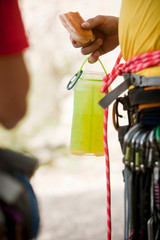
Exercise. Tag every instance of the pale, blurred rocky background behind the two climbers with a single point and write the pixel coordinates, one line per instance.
(71, 189)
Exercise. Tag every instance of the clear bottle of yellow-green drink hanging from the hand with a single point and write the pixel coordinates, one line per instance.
(87, 122)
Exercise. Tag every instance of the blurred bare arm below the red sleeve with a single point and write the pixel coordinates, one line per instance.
(14, 85)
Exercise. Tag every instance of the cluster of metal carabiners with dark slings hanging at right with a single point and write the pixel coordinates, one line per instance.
(142, 182)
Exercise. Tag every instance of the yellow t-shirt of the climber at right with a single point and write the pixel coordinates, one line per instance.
(139, 30)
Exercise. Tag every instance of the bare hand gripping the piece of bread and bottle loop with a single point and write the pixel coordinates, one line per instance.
(105, 29)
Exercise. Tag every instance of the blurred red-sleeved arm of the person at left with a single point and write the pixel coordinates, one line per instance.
(14, 79)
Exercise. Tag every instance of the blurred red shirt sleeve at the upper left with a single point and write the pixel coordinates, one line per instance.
(12, 33)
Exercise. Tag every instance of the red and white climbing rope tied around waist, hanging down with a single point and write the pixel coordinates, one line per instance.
(133, 65)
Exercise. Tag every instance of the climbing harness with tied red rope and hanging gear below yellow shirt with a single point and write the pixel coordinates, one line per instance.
(139, 145)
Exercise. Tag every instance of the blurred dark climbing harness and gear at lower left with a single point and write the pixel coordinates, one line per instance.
(19, 213)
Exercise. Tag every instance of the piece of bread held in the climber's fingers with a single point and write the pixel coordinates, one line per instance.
(72, 22)
